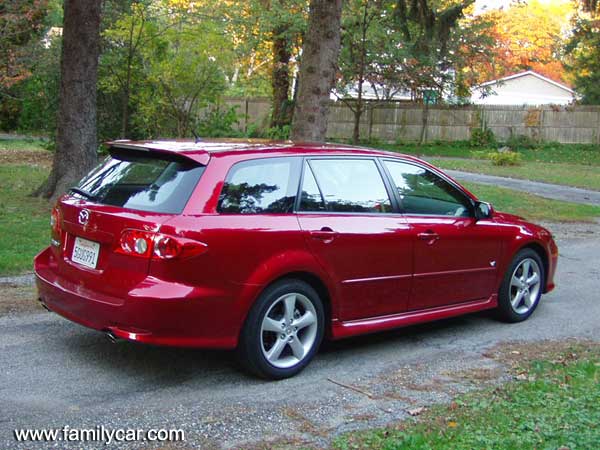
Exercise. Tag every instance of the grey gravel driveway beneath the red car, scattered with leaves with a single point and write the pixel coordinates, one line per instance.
(55, 373)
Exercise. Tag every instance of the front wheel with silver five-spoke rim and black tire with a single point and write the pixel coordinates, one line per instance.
(521, 287)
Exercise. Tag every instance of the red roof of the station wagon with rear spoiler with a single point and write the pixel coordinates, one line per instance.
(202, 150)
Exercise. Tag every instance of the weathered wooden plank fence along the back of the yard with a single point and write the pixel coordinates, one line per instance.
(392, 122)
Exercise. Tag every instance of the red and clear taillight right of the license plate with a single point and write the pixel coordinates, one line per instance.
(146, 244)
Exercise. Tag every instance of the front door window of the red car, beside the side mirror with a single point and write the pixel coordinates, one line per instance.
(423, 192)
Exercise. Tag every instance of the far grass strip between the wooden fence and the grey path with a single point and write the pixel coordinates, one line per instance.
(572, 165)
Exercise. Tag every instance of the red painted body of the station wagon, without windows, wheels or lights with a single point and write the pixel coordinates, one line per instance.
(378, 271)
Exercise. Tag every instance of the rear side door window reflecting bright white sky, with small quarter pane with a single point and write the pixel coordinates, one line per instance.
(347, 185)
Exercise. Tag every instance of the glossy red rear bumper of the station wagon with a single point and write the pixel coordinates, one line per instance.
(153, 312)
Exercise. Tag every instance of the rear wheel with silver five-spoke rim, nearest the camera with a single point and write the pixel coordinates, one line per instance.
(283, 330)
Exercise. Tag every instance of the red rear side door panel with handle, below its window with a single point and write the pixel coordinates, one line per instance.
(369, 261)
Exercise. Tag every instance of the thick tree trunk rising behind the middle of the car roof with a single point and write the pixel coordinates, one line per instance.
(317, 70)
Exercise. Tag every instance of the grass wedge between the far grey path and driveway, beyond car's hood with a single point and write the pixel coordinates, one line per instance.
(533, 207)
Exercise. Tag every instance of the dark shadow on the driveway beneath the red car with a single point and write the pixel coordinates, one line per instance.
(152, 366)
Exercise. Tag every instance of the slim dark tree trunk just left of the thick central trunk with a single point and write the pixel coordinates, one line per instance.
(281, 80)
